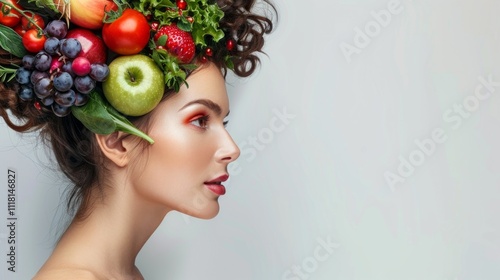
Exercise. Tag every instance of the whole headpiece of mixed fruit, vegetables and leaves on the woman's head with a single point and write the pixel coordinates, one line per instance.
(79, 57)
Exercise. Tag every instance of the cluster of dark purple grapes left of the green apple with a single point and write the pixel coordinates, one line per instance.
(56, 76)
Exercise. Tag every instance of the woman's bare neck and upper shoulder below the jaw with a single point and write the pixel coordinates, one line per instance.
(108, 240)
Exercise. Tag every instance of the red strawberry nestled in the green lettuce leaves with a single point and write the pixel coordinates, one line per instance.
(179, 43)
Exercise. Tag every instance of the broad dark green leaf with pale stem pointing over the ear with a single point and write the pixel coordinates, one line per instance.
(101, 118)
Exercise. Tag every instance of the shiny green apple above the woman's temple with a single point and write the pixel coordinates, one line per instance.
(135, 84)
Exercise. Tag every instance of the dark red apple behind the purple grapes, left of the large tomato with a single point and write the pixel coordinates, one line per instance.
(93, 47)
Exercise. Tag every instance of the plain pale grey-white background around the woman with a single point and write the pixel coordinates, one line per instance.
(320, 178)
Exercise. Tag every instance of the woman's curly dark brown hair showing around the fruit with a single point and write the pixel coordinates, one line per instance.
(75, 148)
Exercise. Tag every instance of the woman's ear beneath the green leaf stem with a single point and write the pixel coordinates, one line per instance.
(115, 147)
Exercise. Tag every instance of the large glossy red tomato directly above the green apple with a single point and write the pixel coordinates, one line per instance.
(128, 34)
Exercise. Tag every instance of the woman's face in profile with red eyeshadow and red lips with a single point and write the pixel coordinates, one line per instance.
(184, 168)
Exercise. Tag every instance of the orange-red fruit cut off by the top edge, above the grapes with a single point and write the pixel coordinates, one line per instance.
(86, 13)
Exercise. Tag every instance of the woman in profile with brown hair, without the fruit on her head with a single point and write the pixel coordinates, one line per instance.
(125, 186)
